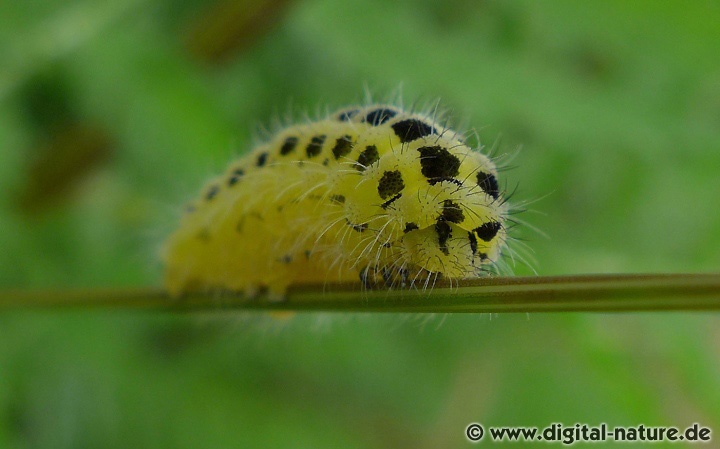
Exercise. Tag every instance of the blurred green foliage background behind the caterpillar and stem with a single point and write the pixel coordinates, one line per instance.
(113, 113)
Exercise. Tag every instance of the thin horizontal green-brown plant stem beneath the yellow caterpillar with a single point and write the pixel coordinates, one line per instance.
(588, 293)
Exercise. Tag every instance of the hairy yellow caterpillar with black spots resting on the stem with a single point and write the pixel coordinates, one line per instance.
(376, 193)
